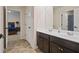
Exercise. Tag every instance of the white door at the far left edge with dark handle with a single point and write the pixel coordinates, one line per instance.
(1, 30)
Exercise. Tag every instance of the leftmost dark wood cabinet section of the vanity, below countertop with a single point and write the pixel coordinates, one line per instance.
(43, 42)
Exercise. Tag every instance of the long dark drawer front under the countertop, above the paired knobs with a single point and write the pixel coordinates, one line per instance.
(65, 43)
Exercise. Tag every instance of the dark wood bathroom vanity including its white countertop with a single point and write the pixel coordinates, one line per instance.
(53, 42)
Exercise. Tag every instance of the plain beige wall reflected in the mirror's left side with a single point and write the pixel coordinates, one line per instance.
(56, 17)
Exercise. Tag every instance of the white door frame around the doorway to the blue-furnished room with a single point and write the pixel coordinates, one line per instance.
(14, 9)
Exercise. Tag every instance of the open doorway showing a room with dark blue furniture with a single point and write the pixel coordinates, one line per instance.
(12, 26)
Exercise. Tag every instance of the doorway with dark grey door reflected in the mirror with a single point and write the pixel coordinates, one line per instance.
(67, 20)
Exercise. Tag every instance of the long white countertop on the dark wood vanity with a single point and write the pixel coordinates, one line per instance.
(62, 34)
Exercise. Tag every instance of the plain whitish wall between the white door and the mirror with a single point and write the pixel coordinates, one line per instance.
(44, 16)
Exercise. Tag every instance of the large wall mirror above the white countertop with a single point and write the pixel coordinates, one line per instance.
(66, 18)
